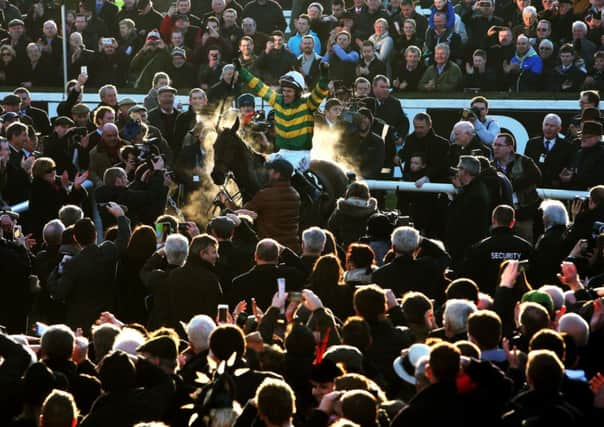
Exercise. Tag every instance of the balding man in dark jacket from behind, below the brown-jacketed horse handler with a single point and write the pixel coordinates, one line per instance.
(261, 280)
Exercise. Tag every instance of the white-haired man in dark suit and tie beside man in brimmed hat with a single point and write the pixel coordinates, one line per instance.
(550, 152)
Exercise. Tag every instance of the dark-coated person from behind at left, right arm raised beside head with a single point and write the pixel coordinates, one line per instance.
(87, 282)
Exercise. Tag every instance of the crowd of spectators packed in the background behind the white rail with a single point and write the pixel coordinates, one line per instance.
(552, 46)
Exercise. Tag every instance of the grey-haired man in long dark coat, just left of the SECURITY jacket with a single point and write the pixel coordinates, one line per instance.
(468, 213)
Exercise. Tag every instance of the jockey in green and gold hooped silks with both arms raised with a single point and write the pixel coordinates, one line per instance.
(294, 121)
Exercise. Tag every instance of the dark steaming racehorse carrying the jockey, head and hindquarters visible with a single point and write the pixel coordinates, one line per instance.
(233, 155)
